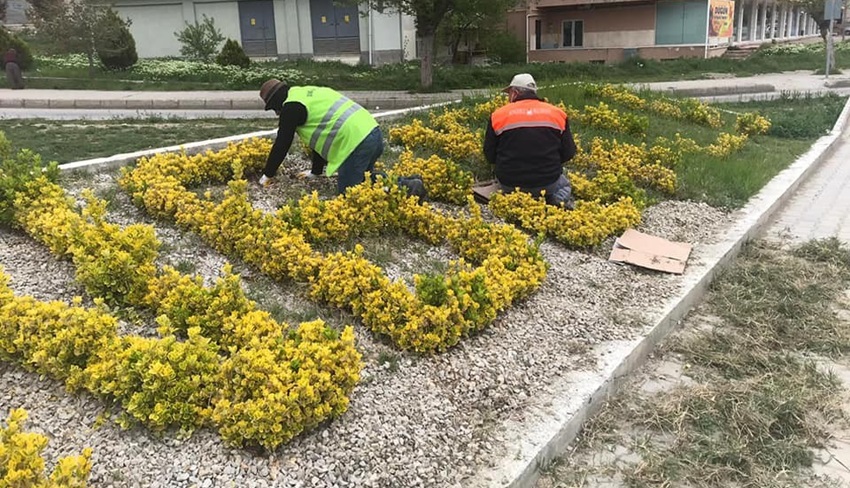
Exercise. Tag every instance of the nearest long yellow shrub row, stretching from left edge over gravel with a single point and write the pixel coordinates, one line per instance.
(164, 382)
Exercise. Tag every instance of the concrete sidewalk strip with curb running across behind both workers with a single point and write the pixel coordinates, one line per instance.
(719, 87)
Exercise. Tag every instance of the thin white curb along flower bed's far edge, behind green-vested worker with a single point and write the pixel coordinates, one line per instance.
(119, 160)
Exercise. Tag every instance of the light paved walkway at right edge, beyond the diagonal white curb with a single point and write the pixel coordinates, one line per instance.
(821, 206)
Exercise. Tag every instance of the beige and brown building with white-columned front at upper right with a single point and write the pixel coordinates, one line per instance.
(605, 31)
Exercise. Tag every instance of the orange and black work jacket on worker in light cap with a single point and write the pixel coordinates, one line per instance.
(529, 141)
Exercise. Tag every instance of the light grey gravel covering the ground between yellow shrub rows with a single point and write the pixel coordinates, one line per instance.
(414, 420)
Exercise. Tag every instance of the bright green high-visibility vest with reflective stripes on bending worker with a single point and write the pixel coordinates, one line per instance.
(335, 124)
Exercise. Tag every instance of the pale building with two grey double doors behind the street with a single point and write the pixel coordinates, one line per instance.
(281, 29)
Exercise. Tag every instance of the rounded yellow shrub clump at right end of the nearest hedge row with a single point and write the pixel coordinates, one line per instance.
(271, 394)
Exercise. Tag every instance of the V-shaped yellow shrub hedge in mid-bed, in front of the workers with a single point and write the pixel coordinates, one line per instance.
(498, 263)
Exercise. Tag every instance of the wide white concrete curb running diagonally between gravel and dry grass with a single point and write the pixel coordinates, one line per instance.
(535, 443)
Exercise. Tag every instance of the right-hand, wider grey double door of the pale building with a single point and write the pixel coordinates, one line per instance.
(336, 28)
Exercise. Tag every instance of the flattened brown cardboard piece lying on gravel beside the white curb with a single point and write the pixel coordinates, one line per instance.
(651, 252)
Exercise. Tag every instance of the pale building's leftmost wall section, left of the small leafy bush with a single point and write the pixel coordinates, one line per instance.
(153, 28)
